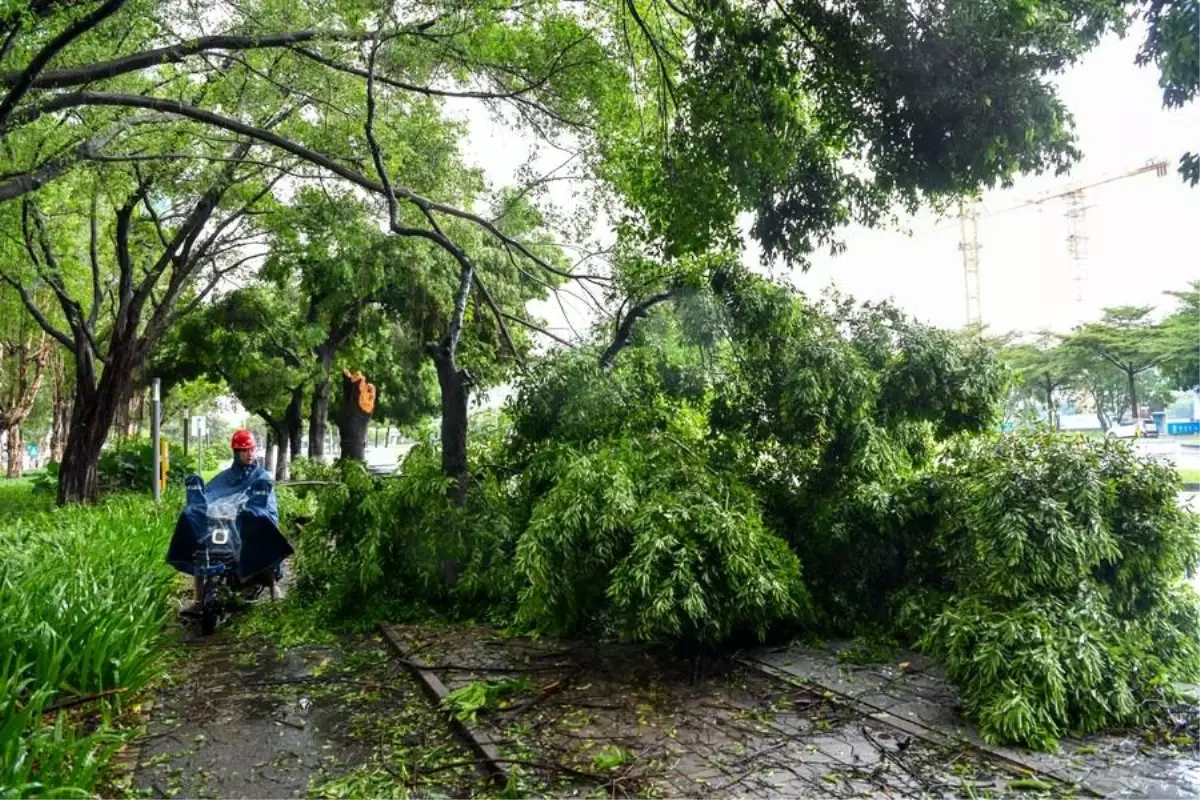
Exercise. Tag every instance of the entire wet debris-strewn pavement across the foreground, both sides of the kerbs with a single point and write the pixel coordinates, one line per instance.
(244, 719)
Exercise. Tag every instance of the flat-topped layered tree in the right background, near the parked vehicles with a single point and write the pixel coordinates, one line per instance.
(1129, 340)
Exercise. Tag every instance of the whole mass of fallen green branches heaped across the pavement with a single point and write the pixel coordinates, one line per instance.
(759, 464)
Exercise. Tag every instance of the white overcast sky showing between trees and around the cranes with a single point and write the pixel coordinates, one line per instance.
(1139, 234)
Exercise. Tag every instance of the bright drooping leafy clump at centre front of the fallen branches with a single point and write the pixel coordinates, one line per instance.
(647, 544)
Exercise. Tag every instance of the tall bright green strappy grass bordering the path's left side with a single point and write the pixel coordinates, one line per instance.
(85, 594)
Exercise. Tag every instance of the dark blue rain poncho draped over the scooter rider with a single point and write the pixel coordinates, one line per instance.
(235, 516)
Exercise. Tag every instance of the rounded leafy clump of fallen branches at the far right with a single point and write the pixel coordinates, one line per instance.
(1070, 610)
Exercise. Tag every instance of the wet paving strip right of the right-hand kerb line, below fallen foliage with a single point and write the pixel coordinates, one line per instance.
(917, 700)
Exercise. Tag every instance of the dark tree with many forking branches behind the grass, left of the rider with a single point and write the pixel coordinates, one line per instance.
(145, 251)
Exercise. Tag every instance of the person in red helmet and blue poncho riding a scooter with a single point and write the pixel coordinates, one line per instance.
(233, 483)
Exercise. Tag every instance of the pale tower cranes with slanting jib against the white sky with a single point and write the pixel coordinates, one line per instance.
(1077, 234)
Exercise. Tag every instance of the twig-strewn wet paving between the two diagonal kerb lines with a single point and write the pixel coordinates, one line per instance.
(609, 720)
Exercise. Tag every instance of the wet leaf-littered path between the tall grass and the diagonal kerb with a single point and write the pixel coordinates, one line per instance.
(244, 721)
